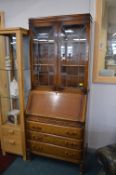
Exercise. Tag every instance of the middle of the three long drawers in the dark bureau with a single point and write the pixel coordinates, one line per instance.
(53, 139)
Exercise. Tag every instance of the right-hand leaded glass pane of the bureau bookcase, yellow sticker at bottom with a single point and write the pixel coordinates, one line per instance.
(73, 53)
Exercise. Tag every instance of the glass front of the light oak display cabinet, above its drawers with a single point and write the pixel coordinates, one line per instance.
(9, 91)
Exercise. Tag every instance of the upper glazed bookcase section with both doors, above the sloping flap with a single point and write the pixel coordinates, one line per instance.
(59, 52)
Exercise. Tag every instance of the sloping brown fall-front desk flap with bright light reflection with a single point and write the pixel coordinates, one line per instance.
(57, 105)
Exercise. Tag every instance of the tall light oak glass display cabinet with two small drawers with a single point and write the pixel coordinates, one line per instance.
(13, 99)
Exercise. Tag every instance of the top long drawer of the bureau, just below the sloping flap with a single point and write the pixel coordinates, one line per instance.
(70, 132)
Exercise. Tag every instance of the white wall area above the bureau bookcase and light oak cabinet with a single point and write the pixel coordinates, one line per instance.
(18, 12)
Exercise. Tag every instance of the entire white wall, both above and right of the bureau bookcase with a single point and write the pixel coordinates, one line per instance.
(102, 98)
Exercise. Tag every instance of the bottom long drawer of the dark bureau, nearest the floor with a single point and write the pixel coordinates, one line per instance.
(55, 151)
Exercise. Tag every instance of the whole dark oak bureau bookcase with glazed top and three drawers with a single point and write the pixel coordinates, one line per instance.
(56, 109)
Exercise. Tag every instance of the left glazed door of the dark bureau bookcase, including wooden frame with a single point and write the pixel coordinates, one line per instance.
(44, 53)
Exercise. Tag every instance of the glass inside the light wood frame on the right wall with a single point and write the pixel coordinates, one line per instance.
(107, 65)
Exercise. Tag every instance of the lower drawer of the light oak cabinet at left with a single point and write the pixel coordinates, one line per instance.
(12, 145)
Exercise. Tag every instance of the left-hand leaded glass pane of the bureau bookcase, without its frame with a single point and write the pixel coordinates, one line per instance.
(44, 56)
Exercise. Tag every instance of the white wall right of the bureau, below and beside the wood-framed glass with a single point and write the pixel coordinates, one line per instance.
(102, 109)
